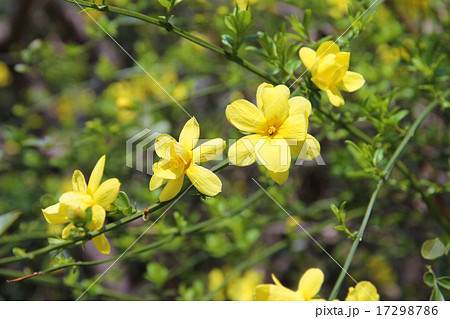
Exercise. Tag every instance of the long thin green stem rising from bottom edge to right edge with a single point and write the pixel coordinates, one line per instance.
(386, 172)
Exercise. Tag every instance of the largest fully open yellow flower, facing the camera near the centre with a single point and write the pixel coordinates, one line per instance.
(279, 129)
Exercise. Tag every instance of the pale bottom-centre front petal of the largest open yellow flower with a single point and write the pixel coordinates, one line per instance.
(274, 154)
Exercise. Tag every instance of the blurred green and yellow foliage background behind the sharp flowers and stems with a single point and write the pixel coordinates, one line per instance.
(69, 94)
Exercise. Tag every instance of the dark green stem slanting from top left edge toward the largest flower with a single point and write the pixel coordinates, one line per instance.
(180, 32)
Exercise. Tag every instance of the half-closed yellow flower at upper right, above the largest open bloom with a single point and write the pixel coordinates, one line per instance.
(329, 70)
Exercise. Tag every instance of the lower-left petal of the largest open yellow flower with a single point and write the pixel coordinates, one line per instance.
(242, 152)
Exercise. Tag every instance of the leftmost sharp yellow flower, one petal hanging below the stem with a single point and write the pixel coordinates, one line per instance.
(72, 205)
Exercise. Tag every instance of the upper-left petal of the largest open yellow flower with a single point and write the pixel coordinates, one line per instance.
(246, 117)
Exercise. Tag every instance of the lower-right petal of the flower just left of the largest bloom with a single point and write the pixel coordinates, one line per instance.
(204, 180)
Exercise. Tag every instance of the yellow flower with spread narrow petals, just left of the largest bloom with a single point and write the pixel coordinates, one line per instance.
(180, 158)
